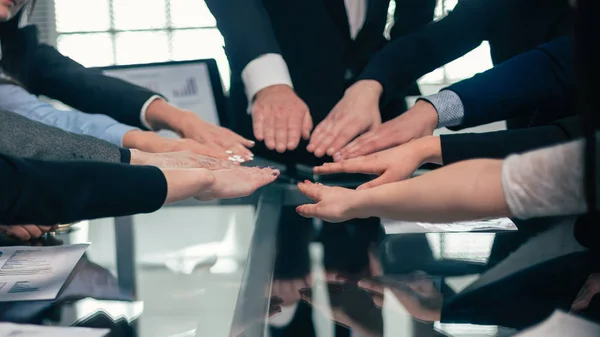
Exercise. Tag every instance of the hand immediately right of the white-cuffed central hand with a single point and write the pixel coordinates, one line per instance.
(357, 112)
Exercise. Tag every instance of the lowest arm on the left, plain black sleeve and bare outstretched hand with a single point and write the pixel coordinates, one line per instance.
(46, 193)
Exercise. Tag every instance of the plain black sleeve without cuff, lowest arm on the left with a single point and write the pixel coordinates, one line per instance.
(49, 193)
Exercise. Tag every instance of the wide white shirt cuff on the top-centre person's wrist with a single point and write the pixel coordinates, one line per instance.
(265, 71)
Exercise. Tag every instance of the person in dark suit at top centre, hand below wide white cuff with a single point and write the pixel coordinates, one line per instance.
(292, 62)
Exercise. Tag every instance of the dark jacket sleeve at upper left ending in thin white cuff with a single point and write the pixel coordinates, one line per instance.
(42, 70)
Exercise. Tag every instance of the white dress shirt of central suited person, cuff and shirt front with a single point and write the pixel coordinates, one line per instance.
(271, 69)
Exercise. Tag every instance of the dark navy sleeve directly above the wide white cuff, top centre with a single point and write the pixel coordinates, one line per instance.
(246, 28)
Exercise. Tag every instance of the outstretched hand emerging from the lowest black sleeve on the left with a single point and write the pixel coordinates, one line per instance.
(206, 185)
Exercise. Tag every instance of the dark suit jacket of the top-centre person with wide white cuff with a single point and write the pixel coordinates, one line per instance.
(313, 37)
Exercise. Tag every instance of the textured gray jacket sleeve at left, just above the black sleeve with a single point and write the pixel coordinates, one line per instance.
(22, 137)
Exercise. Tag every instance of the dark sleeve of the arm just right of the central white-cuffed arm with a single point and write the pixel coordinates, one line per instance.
(409, 57)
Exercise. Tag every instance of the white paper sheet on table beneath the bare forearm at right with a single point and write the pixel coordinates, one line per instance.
(403, 227)
